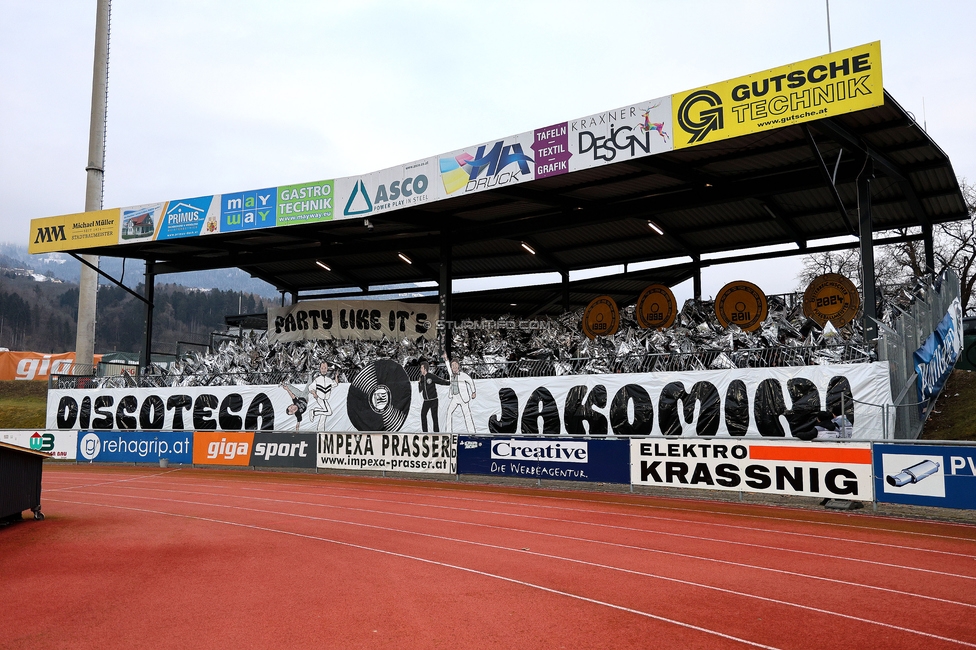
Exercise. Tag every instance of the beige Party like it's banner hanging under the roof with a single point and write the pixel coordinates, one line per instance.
(352, 320)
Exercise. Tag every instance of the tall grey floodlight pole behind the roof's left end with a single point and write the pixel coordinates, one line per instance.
(88, 284)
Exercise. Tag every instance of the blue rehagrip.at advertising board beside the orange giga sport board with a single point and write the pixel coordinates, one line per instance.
(135, 446)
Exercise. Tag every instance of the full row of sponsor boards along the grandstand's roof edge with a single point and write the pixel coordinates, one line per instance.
(833, 84)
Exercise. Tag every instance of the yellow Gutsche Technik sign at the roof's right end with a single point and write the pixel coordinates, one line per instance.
(841, 82)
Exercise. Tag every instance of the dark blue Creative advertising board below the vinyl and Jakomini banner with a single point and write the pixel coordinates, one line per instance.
(552, 458)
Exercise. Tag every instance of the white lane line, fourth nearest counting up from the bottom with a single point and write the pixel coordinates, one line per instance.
(631, 529)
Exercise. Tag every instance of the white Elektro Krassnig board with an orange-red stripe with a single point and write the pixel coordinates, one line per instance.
(814, 469)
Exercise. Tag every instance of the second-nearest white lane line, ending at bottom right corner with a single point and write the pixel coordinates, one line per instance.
(549, 556)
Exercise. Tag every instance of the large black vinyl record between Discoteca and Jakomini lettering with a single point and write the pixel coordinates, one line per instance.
(379, 399)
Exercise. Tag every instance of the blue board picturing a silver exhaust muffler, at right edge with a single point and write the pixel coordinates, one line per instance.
(926, 475)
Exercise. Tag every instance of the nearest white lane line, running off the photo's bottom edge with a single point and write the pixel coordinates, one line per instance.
(439, 564)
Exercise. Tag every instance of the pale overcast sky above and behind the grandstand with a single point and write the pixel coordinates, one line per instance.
(211, 97)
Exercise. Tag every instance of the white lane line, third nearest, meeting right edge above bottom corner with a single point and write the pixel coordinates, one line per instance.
(526, 531)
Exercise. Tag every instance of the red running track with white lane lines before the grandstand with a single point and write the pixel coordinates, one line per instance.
(193, 558)
